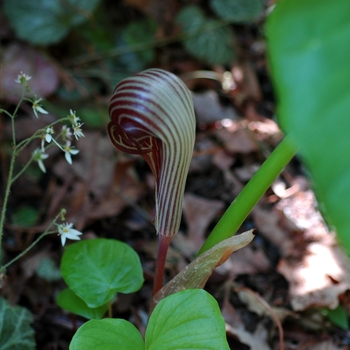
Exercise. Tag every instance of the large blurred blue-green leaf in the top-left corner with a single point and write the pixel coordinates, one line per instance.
(46, 22)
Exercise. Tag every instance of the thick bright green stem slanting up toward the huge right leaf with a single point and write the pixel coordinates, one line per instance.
(240, 208)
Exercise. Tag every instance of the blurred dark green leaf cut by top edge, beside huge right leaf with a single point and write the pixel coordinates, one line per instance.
(237, 10)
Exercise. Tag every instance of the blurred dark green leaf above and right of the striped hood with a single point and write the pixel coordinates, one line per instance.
(208, 39)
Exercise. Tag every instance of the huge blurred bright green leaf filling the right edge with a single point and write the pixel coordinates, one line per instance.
(309, 52)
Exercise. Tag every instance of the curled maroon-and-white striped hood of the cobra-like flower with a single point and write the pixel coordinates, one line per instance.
(152, 115)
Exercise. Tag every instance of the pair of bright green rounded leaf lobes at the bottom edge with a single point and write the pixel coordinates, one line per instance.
(190, 319)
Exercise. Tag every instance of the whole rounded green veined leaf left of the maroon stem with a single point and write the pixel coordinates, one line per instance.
(96, 269)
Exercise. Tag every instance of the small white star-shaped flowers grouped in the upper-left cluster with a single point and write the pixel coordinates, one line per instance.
(66, 132)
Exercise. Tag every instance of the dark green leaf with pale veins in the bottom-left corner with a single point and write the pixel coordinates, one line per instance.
(15, 330)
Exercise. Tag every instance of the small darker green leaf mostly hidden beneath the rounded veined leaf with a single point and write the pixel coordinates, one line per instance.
(69, 301)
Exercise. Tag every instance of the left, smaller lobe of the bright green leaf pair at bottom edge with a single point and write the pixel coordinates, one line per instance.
(107, 334)
